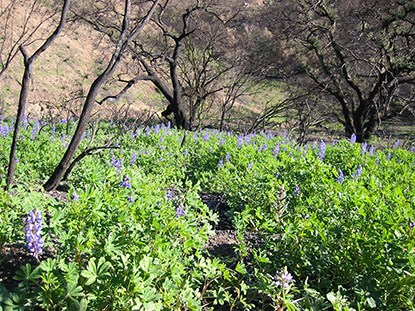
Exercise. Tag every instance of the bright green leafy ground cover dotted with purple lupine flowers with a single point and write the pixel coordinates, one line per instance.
(172, 220)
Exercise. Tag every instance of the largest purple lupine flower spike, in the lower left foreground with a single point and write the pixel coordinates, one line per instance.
(33, 230)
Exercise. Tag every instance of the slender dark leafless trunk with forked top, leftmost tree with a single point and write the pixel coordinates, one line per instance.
(28, 66)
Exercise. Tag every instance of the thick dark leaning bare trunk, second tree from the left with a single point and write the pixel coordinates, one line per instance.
(129, 29)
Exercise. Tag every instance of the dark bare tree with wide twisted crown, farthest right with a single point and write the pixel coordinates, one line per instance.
(357, 55)
